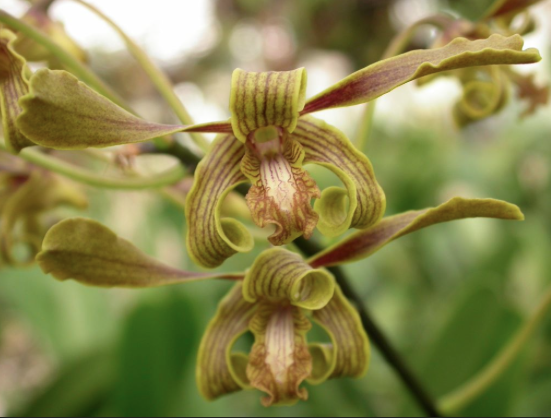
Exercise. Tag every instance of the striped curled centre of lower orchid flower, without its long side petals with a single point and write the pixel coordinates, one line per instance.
(274, 303)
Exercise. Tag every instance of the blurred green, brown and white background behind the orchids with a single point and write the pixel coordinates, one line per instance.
(449, 297)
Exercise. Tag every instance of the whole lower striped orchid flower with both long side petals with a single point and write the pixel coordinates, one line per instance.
(275, 299)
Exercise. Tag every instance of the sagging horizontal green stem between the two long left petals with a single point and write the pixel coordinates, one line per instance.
(86, 177)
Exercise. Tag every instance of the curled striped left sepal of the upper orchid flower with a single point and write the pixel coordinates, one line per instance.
(210, 238)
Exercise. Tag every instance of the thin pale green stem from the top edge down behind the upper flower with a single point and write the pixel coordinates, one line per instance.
(157, 76)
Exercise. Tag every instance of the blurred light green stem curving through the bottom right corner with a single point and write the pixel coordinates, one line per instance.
(470, 391)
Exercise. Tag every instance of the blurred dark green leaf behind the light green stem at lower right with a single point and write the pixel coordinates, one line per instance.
(479, 326)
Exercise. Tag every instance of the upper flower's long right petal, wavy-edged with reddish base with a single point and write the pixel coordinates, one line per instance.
(384, 76)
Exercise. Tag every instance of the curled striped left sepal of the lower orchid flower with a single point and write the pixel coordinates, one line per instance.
(219, 371)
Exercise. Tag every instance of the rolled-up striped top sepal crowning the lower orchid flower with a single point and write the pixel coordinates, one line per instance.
(279, 274)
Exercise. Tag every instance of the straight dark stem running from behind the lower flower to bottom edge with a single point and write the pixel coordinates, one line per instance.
(391, 355)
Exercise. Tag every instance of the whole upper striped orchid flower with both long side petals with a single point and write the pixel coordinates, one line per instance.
(268, 139)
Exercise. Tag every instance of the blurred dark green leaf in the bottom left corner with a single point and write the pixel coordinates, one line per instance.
(79, 389)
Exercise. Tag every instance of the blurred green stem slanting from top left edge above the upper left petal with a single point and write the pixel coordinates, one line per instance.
(70, 62)
